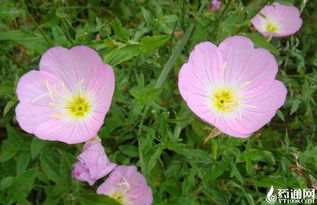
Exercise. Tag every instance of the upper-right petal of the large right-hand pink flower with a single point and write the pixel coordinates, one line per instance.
(247, 66)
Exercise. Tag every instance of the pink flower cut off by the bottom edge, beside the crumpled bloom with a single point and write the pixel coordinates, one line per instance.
(127, 186)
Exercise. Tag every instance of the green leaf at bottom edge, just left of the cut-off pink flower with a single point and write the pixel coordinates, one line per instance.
(96, 199)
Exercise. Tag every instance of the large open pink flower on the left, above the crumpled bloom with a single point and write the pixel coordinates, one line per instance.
(68, 98)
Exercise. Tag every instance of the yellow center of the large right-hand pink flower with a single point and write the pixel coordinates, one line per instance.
(225, 99)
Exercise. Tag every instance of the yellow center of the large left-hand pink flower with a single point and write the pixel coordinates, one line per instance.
(78, 106)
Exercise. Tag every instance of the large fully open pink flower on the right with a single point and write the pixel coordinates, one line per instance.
(232, 86)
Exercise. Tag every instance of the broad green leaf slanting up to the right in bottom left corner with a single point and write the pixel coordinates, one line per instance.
(21, 186)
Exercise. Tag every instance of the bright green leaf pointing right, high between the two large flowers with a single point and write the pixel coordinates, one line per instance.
(151, 43)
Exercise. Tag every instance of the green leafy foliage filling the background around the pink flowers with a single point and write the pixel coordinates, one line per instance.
(149, 125)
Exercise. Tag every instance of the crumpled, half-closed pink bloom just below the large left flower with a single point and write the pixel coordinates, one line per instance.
(93, 163)
